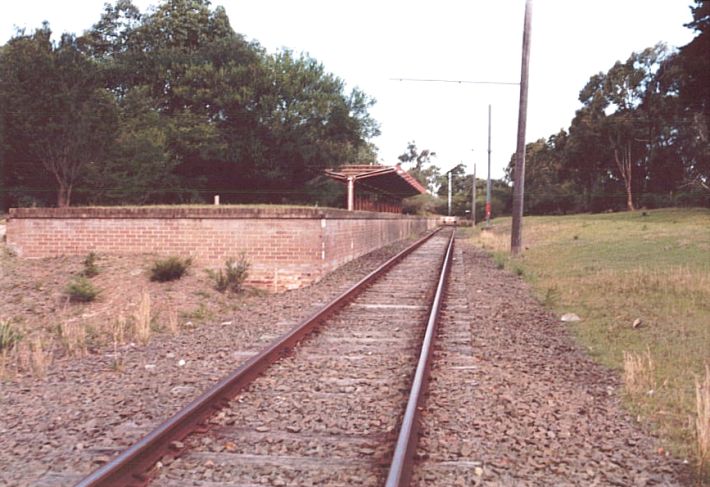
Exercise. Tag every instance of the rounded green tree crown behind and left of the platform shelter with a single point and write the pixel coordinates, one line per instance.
(307, 123)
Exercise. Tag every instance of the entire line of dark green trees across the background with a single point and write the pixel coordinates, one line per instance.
(173, 106)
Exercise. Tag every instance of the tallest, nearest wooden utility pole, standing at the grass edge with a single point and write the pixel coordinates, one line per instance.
(516, 237)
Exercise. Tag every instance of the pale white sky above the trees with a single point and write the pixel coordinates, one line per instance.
(368, 42)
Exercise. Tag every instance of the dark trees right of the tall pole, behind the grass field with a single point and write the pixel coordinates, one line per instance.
(640, 139)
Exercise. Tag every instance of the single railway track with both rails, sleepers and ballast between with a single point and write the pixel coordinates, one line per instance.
(338, 404)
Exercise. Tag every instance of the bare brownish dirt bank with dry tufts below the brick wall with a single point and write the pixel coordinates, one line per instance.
(33, 298)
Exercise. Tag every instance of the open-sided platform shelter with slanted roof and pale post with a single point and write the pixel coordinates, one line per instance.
(376, 187)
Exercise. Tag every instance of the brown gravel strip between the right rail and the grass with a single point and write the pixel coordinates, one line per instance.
(526, 406)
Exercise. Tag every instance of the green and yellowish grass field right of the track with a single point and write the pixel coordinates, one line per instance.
(613, 270)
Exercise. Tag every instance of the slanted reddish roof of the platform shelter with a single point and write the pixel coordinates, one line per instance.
(392, 180)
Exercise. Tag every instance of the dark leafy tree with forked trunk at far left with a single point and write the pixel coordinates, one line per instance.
(56, 116)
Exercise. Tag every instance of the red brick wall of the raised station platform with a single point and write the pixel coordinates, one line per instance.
(287, 247)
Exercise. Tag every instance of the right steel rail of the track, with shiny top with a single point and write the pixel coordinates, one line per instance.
(400, 472)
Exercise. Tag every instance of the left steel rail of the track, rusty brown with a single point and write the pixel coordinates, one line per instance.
(131, 467)
